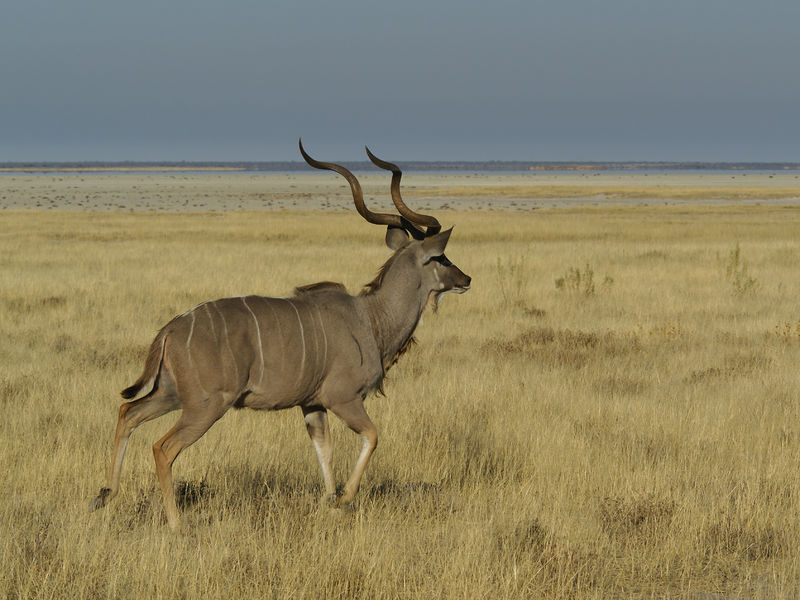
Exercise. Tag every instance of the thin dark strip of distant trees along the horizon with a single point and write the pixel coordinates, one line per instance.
(504, 165)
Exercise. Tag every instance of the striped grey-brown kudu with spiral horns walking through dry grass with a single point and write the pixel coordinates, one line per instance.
(319, 349)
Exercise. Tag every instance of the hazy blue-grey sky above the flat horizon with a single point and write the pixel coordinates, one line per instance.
(413, 79)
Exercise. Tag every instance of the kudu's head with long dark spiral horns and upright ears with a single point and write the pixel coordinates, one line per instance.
(416, 239)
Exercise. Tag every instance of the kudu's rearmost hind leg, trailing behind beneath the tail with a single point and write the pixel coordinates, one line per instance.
(131, 415)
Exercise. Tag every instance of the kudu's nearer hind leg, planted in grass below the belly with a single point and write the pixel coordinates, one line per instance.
(190, 427)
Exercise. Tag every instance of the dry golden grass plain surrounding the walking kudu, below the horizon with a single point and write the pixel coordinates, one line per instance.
(612, 411)
